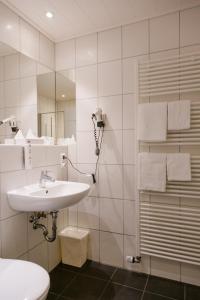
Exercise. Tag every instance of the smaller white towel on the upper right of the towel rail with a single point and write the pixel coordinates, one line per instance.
(179, 115)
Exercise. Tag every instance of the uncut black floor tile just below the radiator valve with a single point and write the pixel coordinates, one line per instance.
(132, 279)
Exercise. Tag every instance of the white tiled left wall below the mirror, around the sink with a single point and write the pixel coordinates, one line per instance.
(18, 239)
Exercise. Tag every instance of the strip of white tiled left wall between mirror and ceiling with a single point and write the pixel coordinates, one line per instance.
(23, 37)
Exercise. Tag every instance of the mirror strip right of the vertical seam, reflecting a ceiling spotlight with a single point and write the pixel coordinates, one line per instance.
(65, 104)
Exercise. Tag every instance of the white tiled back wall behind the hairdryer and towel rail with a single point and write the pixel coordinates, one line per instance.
(104, 65)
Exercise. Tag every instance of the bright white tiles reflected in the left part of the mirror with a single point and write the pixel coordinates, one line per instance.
(18, 93)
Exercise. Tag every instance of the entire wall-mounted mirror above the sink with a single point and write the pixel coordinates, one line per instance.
(39, 98)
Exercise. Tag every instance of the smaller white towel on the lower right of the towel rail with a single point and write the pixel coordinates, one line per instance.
(178, 167)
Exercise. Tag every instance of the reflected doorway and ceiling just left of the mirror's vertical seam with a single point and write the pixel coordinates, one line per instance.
(46, 103)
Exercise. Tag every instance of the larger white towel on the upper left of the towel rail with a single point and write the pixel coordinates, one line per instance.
(152, 121)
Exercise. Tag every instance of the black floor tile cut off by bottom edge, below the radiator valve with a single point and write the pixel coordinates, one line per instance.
(119, 292)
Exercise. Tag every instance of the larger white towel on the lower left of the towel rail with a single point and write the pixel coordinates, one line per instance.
(152, 172)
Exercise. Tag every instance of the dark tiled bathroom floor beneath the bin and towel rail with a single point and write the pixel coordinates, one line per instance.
(95, 281)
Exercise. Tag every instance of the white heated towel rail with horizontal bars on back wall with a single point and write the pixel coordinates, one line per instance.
(171, 230)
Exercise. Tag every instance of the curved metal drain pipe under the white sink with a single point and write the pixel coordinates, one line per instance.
(35, 220)
